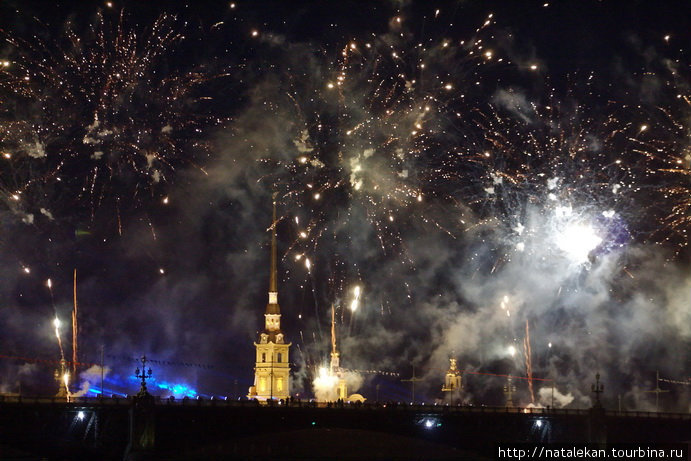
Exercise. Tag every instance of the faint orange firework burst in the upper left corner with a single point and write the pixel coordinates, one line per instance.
(96, 116)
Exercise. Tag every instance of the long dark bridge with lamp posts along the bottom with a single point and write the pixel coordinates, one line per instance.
(155, 428)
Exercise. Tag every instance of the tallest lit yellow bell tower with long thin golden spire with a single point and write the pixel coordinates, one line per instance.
(272, 365)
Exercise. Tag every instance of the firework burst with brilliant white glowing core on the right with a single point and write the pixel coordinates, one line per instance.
(554, 178)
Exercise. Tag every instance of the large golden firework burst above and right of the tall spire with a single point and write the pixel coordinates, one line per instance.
(377, 144)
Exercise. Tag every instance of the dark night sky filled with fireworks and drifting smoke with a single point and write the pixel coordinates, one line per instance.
(507, 183)
